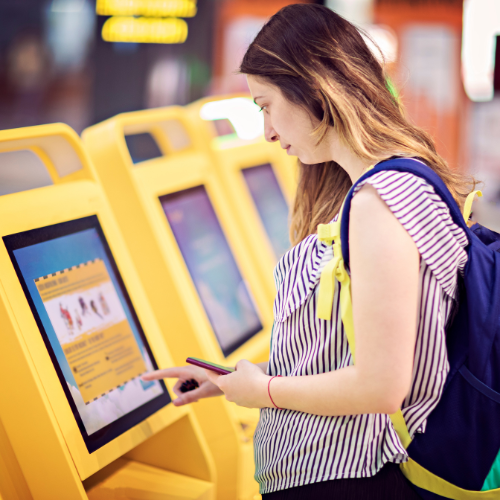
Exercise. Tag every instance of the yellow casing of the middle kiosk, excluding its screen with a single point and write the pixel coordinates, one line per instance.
(134, 191)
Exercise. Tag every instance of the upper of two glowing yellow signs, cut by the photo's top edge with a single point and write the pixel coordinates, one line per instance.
(147, 8)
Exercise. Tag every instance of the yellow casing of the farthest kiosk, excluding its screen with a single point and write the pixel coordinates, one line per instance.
(230, 156)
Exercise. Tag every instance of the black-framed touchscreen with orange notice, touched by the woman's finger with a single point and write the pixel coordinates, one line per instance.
(89, 326)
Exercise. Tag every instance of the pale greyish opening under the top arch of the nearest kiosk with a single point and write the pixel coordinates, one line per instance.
(20, 171)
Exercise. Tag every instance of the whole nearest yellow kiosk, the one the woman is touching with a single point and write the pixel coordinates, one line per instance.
(77, 421)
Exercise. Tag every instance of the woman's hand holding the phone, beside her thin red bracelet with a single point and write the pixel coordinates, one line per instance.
(247, 386)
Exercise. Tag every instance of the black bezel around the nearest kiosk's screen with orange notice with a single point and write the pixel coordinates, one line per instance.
(111, 431)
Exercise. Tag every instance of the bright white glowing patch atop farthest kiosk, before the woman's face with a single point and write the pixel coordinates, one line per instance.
(243, 113)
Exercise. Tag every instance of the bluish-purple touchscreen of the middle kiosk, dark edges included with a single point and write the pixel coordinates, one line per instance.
(218, 281)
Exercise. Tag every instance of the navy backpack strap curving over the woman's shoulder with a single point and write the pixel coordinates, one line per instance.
(401, 165)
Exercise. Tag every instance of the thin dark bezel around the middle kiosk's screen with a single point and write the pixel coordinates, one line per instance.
(251, 333)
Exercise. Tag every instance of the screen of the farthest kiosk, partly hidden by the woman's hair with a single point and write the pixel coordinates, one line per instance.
(271, 205)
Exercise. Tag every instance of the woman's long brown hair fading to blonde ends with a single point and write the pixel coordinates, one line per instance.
(320, 61)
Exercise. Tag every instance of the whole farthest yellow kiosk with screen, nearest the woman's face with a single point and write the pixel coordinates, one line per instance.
(259, 177)
